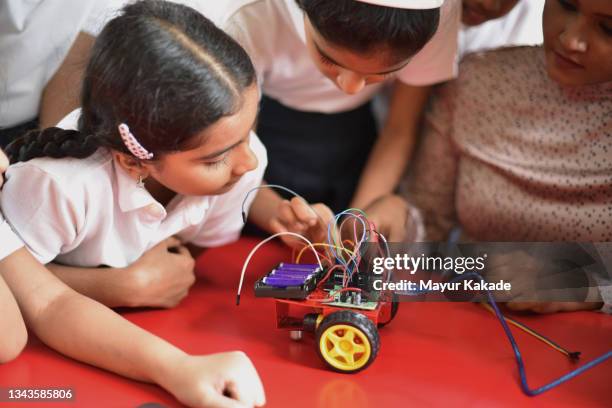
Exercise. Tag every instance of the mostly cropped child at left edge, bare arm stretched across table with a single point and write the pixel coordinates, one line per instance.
(45, 301)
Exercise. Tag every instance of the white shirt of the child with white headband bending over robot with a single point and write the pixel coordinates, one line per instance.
(272, 32)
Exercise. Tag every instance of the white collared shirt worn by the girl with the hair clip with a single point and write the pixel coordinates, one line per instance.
(90, 212)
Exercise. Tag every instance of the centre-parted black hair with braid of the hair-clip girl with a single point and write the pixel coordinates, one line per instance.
(161, 68)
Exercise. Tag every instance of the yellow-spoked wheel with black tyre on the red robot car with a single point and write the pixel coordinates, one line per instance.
(347, 341)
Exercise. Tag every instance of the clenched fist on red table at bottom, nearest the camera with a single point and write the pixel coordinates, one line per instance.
(217, 380)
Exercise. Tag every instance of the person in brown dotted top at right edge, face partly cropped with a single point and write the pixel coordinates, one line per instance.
(518, 148)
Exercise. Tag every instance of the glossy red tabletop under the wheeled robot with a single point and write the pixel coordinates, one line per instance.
(432, 354)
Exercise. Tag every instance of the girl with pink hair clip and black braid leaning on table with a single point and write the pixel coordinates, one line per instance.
(164, 148)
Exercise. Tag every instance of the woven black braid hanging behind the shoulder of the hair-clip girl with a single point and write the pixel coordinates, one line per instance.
(52, 142)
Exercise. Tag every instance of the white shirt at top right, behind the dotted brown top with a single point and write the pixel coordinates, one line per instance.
(522, 26)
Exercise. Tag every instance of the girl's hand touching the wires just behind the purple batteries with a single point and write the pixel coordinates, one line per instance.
(297, 216)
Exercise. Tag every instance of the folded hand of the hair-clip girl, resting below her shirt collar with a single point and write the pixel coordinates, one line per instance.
(161, 277)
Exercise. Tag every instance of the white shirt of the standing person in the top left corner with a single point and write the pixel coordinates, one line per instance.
(35, 37)
